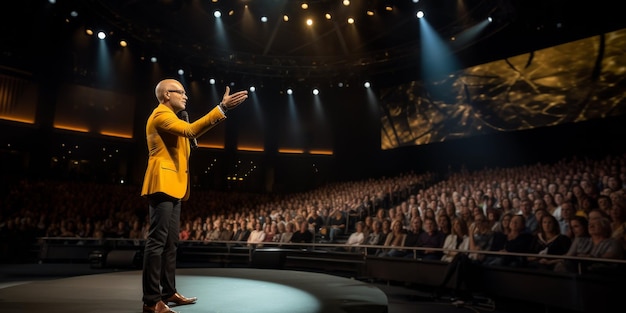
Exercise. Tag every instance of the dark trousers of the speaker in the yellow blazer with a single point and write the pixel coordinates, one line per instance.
(159, 261)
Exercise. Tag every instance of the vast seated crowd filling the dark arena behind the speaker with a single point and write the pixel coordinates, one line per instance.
(578, 193)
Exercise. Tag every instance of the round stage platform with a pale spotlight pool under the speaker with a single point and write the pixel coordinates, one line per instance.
(223, 290)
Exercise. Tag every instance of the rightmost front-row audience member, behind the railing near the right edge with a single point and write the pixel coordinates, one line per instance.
(599, 244)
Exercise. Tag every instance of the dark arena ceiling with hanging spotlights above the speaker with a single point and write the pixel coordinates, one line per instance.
(385, 46)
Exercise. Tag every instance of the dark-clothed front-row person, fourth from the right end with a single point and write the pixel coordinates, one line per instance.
(517, 241)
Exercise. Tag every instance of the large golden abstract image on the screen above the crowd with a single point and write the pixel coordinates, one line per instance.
(568, 83)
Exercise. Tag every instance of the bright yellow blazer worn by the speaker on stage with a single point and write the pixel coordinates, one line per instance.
(169, 149)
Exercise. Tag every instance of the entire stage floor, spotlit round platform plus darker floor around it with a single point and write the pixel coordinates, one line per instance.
(69, 288)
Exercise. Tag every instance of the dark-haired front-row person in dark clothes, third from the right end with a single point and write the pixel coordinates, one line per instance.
(548, 241)
